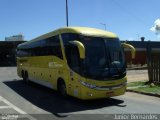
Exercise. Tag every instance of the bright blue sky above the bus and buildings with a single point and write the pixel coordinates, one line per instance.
(129, 19)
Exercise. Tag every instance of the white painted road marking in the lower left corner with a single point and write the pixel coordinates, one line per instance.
(10, 105)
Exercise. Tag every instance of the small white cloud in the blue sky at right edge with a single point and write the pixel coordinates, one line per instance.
(156, 27)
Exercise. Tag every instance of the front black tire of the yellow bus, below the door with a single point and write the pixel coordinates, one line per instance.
(62, 88)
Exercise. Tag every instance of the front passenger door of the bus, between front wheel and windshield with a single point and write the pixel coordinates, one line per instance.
(73, 60)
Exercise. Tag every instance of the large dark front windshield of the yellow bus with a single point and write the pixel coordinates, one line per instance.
(104, 56)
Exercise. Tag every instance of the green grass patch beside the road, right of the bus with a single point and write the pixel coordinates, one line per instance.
(143, 86)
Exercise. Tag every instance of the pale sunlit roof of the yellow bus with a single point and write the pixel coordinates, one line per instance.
(79, 30)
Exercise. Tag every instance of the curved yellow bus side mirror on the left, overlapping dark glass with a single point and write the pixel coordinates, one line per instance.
(81, 48)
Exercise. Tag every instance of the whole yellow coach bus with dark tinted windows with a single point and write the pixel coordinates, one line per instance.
(86, 63)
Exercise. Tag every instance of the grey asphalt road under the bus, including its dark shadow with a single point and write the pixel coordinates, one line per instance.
(36, 102)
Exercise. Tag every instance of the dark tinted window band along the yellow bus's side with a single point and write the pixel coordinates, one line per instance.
(48, 46)
